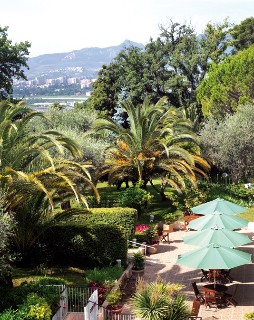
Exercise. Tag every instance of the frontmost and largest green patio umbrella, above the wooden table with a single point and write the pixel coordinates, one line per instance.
(214, 256)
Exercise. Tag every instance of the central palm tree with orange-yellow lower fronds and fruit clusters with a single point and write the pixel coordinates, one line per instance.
(158, 143)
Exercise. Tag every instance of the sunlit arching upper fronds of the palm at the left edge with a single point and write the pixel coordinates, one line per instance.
(30, 163)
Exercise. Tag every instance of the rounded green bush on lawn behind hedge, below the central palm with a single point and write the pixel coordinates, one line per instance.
(135, 198)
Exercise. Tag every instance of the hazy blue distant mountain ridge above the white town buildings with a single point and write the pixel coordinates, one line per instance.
(86, 61)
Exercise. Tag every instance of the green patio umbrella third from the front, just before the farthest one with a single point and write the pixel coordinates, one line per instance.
(219, 220)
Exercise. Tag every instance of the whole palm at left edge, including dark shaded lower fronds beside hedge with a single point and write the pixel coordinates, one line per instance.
(34, 176)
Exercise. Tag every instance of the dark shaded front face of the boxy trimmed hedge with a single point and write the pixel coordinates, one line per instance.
(85, 246)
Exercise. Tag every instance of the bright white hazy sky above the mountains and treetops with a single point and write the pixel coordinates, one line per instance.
(53, 26)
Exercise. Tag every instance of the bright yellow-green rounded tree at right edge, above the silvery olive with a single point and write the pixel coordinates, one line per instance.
(228, 84)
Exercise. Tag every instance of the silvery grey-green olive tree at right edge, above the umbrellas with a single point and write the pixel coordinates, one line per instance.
(229, 143)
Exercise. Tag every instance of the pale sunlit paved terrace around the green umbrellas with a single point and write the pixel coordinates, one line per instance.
(163, 264)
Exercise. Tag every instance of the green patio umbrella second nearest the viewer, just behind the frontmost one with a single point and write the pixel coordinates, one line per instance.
(217, 235)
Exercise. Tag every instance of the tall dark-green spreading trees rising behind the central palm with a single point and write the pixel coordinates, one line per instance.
(171, 65)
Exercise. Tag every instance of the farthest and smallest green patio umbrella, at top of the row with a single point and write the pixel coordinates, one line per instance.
(218, 205)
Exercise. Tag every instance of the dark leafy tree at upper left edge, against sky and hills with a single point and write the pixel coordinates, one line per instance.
(13, 61)
